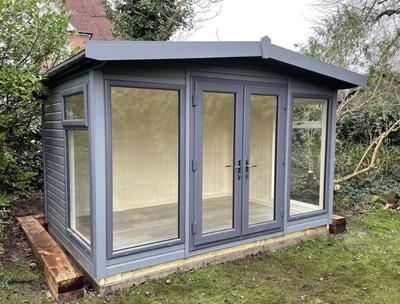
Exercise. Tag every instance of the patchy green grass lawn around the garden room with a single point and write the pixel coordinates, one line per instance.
(361, 266)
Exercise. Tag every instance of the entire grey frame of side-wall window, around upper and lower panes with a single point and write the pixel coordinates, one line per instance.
(71, 125)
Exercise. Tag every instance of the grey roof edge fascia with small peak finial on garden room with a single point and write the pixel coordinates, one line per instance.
(170, 50)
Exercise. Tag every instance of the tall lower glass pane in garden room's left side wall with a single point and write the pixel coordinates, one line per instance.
(79, 182)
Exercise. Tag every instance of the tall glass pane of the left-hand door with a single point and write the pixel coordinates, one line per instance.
(218, 133)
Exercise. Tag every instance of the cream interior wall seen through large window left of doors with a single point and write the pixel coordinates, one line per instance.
(144, 147)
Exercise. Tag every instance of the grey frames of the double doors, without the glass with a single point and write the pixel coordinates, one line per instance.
(243, 89)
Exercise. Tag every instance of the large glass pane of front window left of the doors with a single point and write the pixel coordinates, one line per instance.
(145, 142)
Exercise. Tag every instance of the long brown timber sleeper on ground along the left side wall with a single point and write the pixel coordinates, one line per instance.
(63, 278)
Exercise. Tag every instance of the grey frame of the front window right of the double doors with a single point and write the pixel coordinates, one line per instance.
(328, 99)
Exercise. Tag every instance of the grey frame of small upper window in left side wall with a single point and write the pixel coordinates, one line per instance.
(75, 122)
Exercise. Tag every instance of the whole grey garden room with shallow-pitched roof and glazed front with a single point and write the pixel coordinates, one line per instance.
(166, 156)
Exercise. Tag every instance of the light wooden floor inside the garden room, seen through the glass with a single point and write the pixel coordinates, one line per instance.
(140, 226)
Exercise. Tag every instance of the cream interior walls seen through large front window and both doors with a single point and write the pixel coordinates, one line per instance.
(145, 147)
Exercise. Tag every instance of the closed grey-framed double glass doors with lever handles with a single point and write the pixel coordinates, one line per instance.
(238, 183)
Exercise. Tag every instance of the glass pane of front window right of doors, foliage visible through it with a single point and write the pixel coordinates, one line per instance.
(308, 155)
